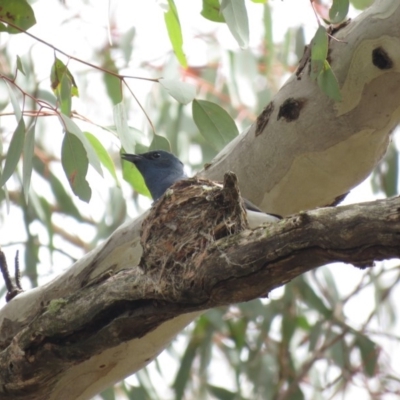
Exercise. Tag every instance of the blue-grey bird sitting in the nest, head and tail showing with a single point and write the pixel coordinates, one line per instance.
(160, 169)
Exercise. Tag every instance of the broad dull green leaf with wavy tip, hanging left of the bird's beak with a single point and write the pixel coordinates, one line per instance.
(75, 164)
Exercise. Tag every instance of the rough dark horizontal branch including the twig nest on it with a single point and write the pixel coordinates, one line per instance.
(236, 267)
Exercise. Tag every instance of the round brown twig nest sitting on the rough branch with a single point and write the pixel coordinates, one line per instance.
(189, 218)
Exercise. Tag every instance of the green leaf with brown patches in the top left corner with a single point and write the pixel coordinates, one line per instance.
(17, 12)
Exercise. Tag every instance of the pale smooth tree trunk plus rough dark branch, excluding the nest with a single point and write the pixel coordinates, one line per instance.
(105, 318)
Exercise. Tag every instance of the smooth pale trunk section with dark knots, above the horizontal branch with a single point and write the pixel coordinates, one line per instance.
(307, 150)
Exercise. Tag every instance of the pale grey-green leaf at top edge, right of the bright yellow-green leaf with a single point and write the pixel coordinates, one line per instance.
(235, 14)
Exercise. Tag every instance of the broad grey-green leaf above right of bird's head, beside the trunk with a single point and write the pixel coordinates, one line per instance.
(214, 123)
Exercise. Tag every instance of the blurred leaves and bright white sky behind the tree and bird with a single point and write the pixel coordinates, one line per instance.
(86, 82)
